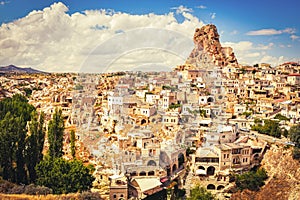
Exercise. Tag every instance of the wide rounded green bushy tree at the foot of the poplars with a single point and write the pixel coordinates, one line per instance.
(64, 176)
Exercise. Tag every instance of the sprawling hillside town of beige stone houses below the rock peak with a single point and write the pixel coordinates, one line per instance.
(151, 133)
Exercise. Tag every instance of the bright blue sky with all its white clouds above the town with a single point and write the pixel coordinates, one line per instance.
(115, 35)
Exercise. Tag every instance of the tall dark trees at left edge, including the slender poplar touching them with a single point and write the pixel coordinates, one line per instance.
(20, 152)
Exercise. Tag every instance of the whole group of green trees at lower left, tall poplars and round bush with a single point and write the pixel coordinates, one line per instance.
(22, 135)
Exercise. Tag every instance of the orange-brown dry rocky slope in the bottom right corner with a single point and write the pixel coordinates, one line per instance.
(284, 177)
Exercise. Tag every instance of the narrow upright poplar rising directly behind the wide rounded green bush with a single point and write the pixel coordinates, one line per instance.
(55, 134)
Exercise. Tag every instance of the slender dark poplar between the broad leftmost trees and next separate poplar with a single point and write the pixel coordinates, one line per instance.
(35, 144)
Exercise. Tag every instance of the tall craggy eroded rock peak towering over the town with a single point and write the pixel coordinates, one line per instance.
(208, 49)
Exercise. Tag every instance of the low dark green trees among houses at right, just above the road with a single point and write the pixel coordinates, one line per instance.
(270, 127)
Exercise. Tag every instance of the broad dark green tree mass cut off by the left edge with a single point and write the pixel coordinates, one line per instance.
(15, 112)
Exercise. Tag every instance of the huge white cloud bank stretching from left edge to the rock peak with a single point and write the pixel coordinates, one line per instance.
(53, 40)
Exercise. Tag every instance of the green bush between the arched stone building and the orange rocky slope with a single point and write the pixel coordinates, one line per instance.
(251, 180)
